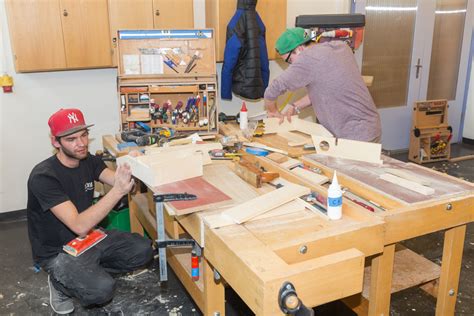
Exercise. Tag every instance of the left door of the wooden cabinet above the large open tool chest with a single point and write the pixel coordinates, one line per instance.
(128, 15)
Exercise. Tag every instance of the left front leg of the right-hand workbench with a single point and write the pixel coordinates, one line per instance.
(381, 282)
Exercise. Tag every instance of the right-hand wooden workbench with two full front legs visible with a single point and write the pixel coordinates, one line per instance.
(408, 214)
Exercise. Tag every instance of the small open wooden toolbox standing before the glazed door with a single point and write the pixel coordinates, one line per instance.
(431, 135)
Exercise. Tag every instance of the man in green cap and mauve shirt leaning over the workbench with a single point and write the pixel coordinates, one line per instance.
(335, 88)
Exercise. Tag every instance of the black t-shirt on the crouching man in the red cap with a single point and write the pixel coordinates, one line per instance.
(50, 184)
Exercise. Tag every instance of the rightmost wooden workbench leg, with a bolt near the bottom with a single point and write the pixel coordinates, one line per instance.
(450, 270)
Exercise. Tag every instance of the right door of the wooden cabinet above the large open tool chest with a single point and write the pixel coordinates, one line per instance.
(176, 14)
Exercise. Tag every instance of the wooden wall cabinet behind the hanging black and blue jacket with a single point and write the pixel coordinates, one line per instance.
(272, 13)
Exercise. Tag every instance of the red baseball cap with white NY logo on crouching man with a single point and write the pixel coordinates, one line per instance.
(66, 122)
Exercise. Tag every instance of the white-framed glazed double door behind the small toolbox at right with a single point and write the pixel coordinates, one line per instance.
(416, 50)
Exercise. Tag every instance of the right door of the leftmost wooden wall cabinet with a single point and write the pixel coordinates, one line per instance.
(86, 33)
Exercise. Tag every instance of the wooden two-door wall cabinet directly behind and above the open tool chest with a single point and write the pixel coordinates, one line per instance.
(148, 14)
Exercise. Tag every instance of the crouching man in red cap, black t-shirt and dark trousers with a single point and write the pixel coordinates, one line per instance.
(60, 193)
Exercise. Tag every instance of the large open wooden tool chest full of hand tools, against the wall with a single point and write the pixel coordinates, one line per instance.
(167, 79)
